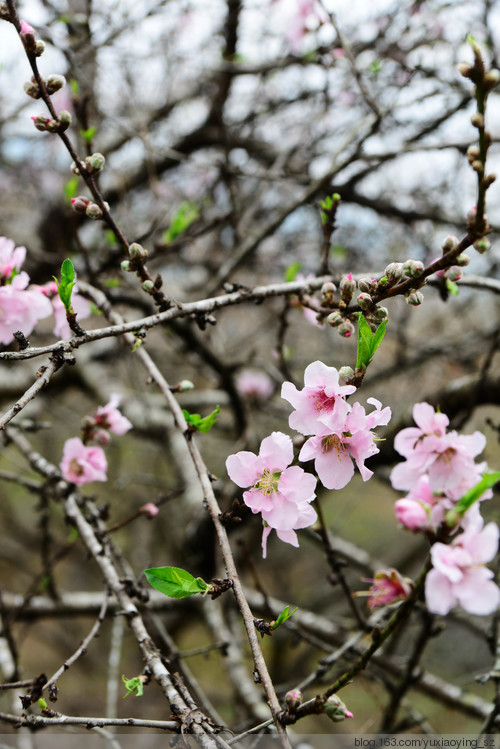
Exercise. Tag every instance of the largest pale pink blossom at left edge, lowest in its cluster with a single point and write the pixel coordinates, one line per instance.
(20, 308)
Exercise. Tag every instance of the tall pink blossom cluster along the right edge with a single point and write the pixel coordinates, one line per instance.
(439, 468)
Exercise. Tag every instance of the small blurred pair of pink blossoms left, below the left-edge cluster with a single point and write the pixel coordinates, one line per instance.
(81, 463)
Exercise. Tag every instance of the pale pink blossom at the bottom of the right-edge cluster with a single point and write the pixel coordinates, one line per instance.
(459, 575)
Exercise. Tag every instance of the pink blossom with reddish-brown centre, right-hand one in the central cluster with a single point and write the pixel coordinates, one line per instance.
(333, 452)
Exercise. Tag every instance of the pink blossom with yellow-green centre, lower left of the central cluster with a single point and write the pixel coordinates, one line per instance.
(280, 492)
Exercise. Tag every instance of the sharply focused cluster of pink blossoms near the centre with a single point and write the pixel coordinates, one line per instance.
(341, 434)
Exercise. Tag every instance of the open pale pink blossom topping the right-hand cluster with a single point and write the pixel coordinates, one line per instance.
(446, 457)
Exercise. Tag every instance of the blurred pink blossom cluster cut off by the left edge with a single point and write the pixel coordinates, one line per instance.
(21, 307)
